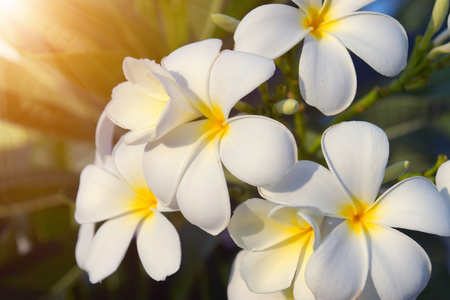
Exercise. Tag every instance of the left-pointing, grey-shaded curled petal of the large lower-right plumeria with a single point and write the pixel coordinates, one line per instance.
(308, 183)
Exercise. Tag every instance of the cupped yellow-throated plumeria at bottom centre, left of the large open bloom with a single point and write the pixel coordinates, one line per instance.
(280, 240)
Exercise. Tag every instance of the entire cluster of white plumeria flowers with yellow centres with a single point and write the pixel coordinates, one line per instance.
(318, 233)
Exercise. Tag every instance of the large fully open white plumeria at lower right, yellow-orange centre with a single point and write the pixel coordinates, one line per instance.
(364, 247)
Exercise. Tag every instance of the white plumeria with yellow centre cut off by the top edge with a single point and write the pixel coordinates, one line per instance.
(326, 72)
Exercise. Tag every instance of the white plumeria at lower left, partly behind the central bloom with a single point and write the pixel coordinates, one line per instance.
(117, 193)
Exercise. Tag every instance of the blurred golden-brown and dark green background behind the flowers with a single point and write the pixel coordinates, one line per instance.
(60, 59)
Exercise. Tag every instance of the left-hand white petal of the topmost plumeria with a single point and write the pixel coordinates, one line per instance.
(270, 30)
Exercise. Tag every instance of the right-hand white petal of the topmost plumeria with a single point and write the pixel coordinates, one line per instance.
(377, 39)
